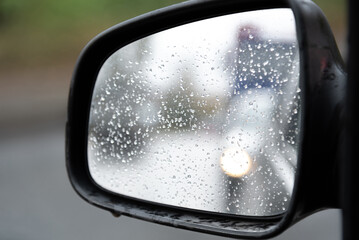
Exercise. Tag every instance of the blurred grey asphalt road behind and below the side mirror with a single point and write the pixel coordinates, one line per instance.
(38, 202)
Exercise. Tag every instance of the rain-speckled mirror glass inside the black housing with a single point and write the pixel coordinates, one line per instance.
(202, 116)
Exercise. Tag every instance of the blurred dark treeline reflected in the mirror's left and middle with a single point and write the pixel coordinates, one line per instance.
(126, 111)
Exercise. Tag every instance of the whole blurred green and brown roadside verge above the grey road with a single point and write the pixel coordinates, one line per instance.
(41, 39)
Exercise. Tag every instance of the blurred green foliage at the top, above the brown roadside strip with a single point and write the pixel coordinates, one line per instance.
(47, 31)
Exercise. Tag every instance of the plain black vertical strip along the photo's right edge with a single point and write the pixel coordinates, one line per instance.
(350, 163)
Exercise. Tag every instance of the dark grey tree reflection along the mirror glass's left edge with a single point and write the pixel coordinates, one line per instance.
(120, 90)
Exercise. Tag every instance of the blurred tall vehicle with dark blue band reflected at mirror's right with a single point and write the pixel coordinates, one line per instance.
(263, 116)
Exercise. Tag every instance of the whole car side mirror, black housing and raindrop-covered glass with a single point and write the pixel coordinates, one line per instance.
(216, 116)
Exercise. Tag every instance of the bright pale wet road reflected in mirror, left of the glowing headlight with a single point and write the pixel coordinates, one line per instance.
(179, 170)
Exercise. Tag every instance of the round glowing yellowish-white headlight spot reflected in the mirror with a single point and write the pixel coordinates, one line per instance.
(235, 162)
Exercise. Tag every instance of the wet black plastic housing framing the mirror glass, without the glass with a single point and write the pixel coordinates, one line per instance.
(322, 80)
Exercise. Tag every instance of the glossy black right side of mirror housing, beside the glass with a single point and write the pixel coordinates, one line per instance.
(324, 76)
